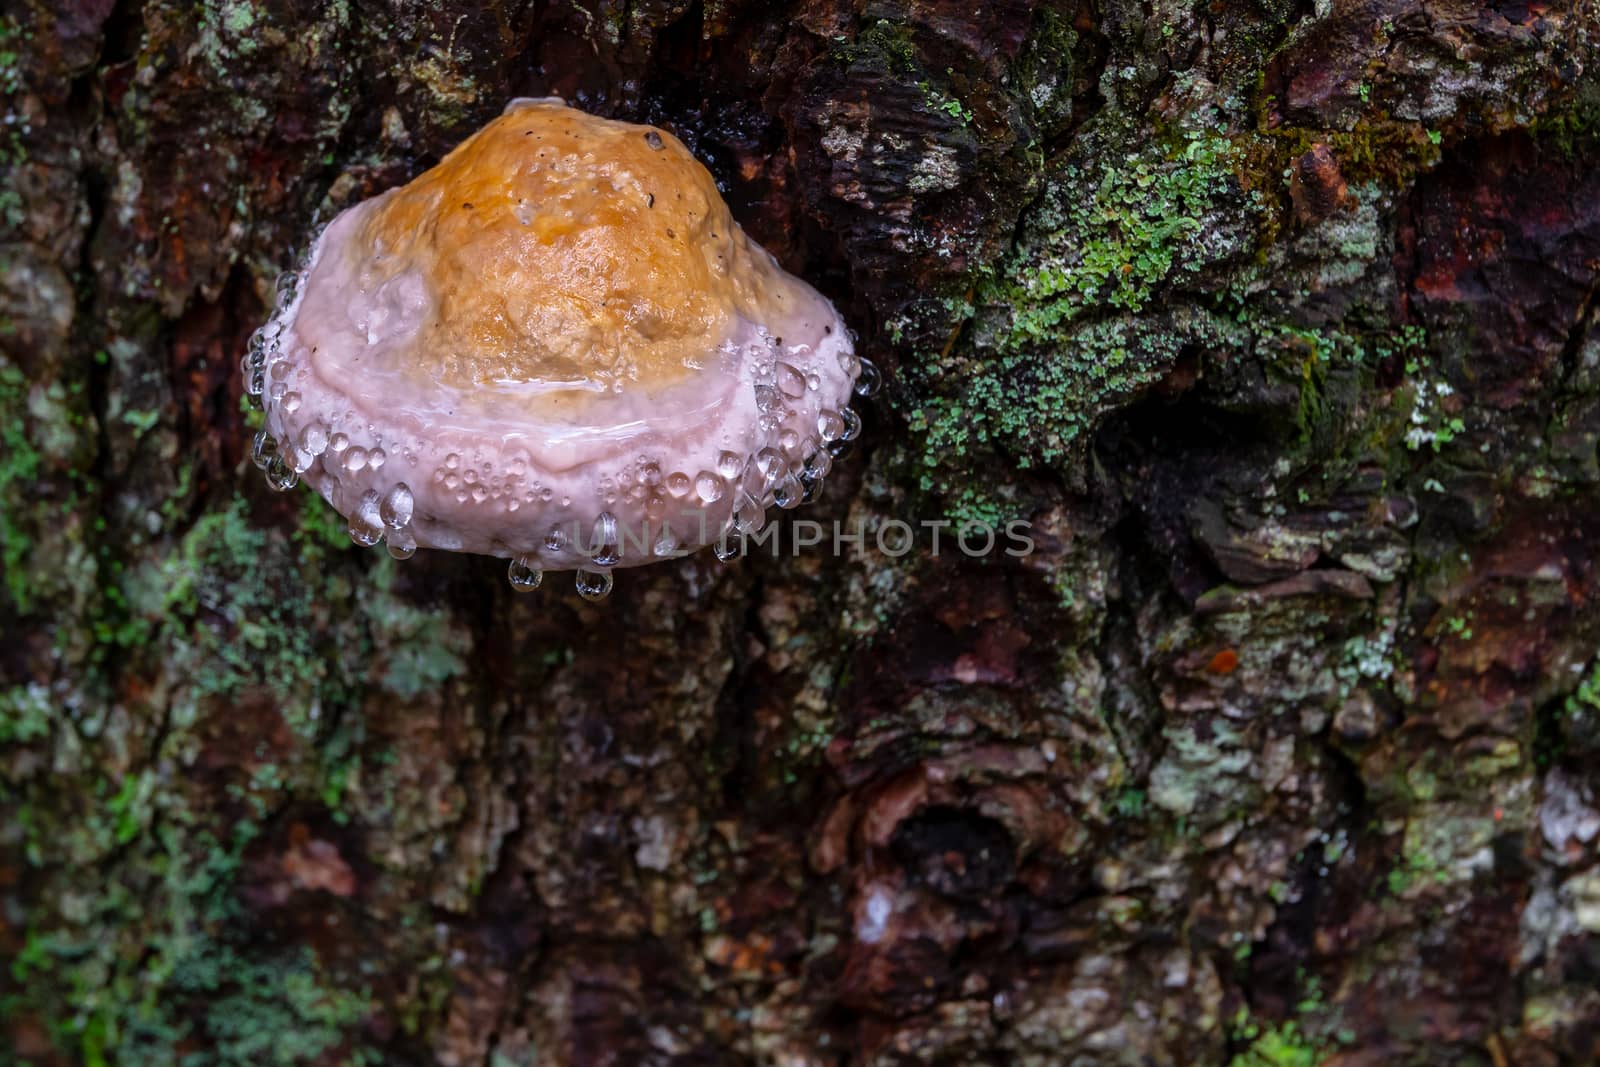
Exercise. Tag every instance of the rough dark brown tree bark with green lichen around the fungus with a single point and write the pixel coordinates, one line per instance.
(1274, 318)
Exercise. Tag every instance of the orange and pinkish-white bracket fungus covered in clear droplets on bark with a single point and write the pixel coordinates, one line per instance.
(554, 346)
